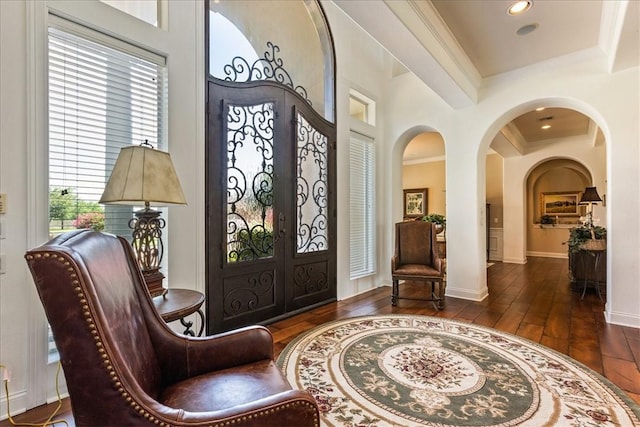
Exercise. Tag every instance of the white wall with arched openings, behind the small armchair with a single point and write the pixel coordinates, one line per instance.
(467, 133)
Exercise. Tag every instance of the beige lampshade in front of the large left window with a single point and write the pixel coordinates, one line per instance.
(143, 174)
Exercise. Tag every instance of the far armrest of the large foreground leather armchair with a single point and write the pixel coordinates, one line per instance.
(185, 357)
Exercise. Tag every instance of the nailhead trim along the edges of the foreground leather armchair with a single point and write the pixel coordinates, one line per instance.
(114, 376)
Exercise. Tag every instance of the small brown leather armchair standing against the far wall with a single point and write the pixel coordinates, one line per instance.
(416, 258)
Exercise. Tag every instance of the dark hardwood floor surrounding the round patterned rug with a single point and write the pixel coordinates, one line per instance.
(534, 301)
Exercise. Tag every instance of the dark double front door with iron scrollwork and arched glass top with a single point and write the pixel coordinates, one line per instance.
(270, 162)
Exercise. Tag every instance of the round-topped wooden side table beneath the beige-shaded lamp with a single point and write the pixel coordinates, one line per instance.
(176, 304)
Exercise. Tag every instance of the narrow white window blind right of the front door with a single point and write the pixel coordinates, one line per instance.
(362, 231)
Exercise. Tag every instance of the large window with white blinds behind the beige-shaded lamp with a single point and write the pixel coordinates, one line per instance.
(103, 95)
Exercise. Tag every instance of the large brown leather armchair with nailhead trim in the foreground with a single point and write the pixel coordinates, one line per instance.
(125, 367)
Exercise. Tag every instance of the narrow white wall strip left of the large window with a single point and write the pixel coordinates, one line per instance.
(16, 292)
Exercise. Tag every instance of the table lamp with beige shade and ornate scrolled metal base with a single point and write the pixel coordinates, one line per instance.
(143, 175)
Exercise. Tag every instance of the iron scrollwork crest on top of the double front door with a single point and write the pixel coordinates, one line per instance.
(270, 67)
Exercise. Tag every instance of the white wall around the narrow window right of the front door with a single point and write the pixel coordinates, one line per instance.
(362, 64)
